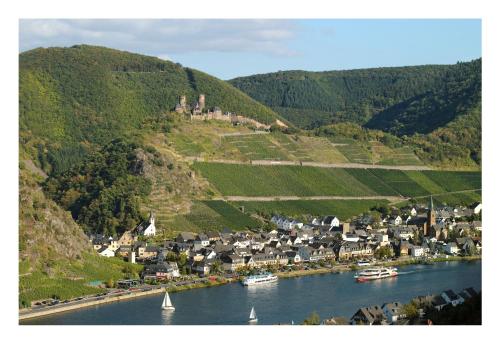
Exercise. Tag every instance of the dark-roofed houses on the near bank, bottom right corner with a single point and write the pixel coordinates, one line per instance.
(394, 313)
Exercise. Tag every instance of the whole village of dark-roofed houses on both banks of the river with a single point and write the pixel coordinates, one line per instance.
(412, 234)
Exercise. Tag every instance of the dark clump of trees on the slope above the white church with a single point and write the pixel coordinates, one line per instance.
(103, 192)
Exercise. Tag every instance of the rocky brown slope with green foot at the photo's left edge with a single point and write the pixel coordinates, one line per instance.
(56, 259)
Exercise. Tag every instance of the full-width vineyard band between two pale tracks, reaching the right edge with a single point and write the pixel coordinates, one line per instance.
(251, 180)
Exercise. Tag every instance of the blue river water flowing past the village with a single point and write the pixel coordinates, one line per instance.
(282, 302)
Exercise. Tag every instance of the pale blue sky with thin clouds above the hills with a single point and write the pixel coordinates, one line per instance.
(232, 48)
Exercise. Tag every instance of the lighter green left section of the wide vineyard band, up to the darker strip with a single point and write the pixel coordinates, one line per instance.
(232, 179)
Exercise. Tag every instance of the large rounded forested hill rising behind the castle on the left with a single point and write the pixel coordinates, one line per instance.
(74, 98)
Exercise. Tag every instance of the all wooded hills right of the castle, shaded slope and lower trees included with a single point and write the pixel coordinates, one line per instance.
(434, 109)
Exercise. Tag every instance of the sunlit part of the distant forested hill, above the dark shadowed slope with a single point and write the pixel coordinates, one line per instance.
(354, 95)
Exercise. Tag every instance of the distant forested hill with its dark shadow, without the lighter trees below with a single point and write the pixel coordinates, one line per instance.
(396, 99)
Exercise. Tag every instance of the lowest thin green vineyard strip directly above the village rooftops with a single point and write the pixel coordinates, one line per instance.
(344, 209)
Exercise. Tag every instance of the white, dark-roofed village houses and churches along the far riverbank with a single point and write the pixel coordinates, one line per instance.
(419, 232)
